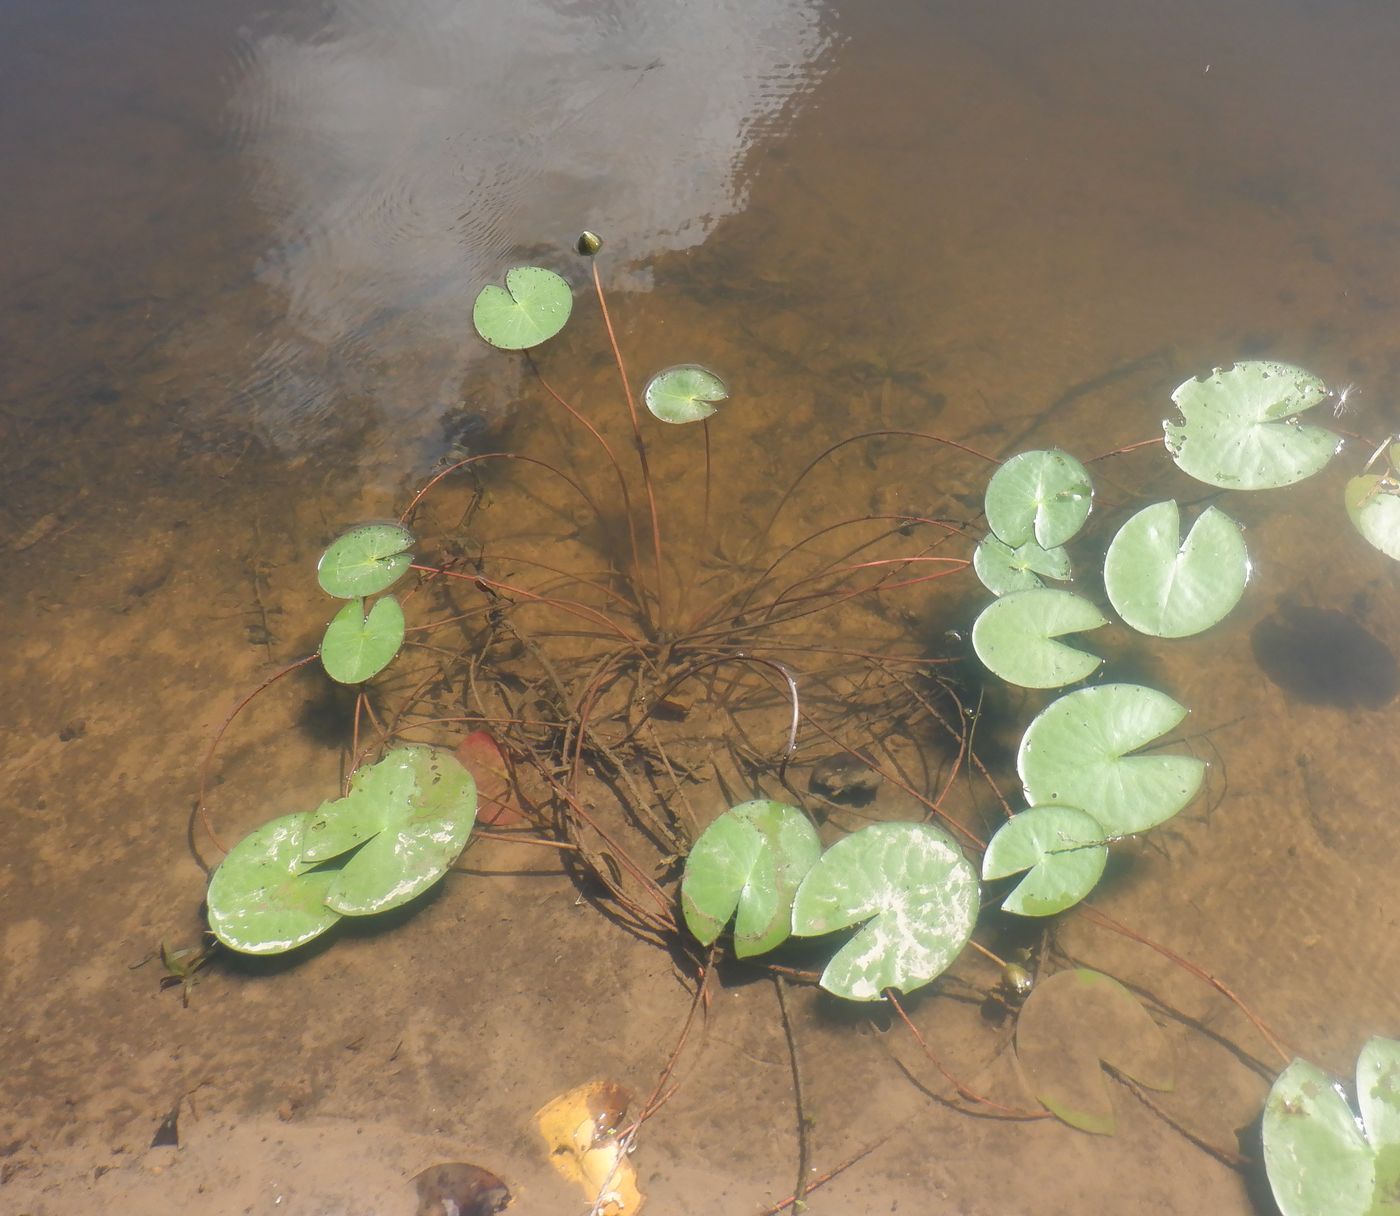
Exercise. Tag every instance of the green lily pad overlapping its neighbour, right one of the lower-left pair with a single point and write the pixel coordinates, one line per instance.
(411, 816)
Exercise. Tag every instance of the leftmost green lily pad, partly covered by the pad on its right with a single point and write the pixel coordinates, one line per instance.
(264, 899)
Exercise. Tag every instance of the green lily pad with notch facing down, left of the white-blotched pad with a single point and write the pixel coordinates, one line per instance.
(751, 860)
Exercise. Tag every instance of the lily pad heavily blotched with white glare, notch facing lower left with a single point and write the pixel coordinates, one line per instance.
(913, 886)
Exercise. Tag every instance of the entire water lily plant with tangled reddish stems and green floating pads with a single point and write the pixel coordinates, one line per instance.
(586, 709)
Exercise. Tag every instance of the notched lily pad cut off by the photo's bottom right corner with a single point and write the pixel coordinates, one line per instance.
(1325, 1159)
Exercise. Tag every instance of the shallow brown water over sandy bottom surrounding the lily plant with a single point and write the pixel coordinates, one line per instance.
(239, 260)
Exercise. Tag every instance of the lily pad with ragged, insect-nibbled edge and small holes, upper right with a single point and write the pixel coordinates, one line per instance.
(1240, 430)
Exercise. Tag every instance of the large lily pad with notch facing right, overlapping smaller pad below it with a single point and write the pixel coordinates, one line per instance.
(1076, 754)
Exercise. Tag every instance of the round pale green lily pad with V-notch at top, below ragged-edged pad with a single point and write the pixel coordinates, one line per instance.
(1170, 588)
